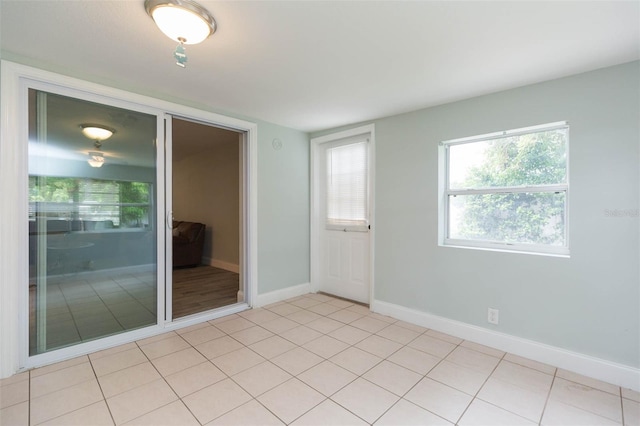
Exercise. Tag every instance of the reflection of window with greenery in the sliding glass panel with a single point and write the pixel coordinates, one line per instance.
(98, 203)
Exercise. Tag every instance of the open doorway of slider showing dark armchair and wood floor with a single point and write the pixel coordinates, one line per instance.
(206, 196)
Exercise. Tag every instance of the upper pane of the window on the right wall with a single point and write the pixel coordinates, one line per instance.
(525, 160)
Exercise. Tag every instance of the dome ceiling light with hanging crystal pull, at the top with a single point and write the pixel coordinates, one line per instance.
(184, 21)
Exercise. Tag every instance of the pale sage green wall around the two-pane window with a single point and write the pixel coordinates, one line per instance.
(588, 303)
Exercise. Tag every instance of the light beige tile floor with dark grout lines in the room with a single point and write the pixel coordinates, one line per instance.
(311, 360)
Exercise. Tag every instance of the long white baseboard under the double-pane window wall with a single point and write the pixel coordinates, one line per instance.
(607, 371)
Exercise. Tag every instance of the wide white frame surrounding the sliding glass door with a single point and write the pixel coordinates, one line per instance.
(13, 228)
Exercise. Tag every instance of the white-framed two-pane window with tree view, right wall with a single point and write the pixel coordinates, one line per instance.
(507, 190)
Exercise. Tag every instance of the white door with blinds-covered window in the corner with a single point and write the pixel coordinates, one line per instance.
(341, 221)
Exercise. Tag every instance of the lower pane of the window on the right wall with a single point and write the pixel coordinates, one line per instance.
(519, 218)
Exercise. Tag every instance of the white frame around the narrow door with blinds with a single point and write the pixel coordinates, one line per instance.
(316, 216)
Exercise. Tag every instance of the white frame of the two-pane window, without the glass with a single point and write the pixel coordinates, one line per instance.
(445, 192)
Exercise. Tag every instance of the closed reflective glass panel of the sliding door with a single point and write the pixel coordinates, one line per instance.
(92, 230)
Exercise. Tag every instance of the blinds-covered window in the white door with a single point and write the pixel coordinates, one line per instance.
(347, 188)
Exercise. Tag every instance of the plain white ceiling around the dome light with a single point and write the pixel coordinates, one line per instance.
(313, 65)
